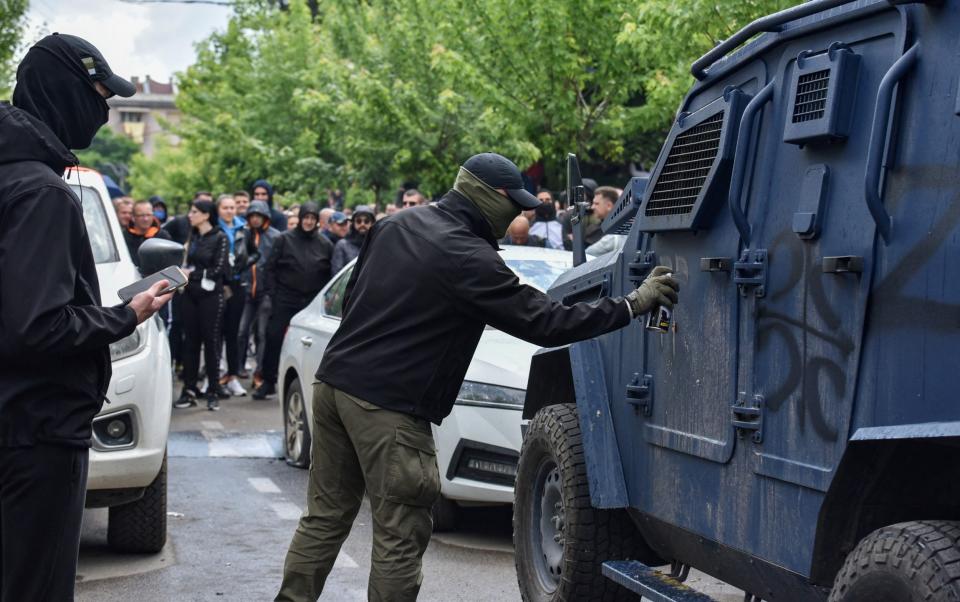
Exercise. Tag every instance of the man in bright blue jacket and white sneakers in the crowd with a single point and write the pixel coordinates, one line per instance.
(234, 227)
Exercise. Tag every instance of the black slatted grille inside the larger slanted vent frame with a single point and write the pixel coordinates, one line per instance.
(686, 169)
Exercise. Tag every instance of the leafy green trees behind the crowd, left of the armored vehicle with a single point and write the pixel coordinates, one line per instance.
(371, 94)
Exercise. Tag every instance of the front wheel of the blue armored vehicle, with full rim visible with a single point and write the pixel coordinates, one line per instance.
(560, 539)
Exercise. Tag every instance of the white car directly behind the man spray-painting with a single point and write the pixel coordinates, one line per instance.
(478, 444)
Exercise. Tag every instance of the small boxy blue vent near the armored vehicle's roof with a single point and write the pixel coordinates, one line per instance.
(822, 90)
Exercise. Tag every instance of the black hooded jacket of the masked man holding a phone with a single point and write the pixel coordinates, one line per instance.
(54, 335)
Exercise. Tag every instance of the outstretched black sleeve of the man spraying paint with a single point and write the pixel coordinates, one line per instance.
(487, 288)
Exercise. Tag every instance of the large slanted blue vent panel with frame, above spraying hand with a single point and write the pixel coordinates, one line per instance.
(693, 172)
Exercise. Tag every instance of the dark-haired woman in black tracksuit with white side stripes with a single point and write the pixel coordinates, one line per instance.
(208, 266)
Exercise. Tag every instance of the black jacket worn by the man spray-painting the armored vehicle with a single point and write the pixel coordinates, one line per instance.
(426, 282)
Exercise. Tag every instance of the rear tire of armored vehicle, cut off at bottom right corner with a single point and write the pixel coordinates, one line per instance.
(906, 562)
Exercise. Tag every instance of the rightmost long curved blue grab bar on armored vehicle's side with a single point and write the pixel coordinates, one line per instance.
(878, 139)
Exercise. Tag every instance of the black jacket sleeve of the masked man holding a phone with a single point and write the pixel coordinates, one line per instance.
(38, 280)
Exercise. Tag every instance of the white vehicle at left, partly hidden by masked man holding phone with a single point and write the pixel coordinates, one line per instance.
(128, 468)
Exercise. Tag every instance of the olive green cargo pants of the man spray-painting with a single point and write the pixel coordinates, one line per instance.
(358, 446)
